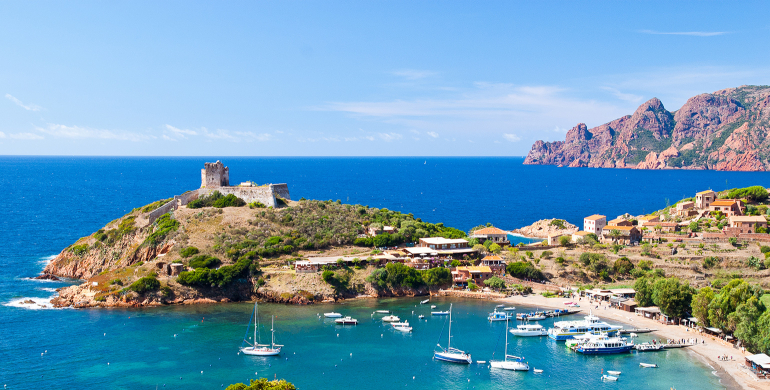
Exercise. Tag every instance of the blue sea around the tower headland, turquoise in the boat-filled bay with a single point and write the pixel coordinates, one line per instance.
(50, 202)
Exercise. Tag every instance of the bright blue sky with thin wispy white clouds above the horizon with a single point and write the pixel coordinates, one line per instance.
(318, 78)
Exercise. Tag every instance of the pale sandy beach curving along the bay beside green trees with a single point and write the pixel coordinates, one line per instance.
(732, 373)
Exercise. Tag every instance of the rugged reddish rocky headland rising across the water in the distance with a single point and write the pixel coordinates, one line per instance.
(723, 131)
